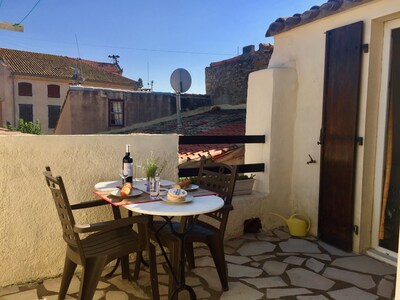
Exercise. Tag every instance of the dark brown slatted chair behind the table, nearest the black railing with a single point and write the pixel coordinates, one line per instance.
(208, 229)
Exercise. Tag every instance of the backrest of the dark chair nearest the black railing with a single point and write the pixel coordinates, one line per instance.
(219, 178)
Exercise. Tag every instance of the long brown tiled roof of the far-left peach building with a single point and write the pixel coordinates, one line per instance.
(48, 65)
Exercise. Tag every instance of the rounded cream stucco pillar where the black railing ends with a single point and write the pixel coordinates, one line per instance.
(271, 110)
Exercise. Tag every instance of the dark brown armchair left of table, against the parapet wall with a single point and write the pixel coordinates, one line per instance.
(102, 242)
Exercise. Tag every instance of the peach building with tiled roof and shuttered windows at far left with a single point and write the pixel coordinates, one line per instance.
(33, 86)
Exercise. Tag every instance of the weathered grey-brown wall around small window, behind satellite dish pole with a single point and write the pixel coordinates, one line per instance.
(86, 110)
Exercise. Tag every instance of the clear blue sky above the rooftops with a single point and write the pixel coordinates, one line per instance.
(151, 37)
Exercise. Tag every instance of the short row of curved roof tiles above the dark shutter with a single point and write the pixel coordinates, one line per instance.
(314, 13)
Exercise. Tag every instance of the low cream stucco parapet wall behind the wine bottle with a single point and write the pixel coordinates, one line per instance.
(31, 242)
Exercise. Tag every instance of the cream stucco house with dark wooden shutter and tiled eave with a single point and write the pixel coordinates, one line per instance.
(328, 103)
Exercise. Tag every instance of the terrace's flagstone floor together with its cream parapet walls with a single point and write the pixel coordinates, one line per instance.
(272, 265)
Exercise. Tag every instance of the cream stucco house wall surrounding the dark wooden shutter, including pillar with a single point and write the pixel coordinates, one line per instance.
(302, 50)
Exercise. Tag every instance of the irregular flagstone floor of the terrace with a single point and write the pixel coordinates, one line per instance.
(268, 265)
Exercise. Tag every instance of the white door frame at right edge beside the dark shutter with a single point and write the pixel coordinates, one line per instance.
(381, 139)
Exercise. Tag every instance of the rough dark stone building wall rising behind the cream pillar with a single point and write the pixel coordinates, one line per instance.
(226, 81)
